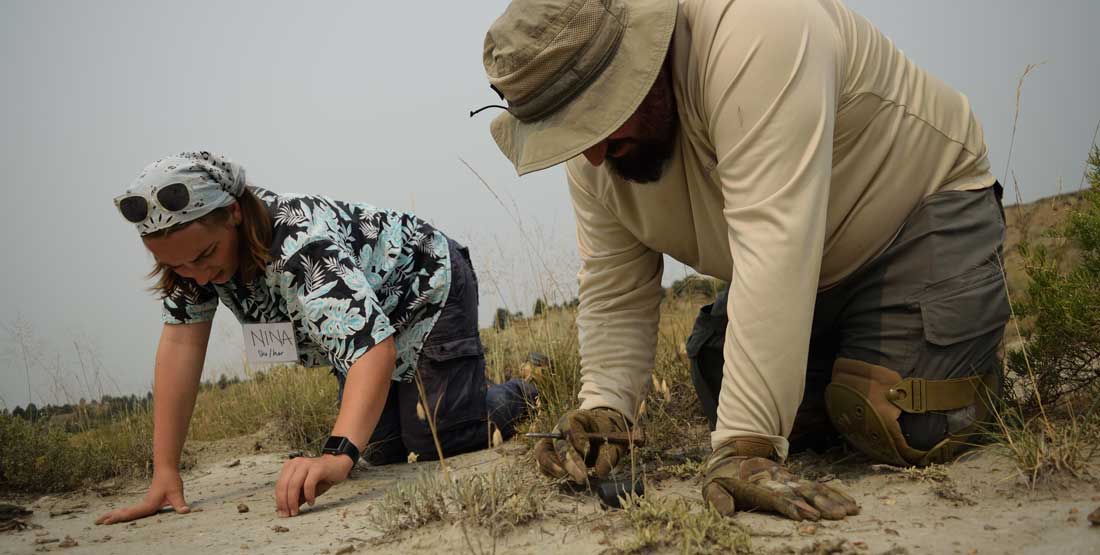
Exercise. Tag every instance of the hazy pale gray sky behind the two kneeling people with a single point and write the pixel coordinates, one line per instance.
(369, 102)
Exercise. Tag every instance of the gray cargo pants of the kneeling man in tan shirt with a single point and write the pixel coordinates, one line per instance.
(933, 306)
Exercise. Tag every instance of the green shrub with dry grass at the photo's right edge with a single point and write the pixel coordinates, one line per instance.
(1049, 421)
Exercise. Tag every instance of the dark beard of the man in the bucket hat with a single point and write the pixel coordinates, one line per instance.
(645, 162)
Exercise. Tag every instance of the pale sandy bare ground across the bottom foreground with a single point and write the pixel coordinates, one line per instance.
(981, 509)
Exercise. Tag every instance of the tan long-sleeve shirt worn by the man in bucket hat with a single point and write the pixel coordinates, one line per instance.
(807, 139)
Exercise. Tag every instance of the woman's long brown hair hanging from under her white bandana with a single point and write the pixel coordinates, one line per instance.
(255, 241)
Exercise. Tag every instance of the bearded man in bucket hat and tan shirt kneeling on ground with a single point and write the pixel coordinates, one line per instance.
(789, 148)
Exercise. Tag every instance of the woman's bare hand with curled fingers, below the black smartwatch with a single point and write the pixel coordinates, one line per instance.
(303, 480)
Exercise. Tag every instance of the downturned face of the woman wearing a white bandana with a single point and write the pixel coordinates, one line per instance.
(202, 252)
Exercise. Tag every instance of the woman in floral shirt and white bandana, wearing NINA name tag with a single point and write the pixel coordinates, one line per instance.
(380, 296)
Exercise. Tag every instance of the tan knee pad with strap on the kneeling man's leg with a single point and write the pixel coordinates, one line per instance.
(865, 401)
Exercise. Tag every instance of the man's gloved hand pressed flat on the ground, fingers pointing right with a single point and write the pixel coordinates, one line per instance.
(739, 480)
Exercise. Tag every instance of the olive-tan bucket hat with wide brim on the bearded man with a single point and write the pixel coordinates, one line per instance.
(573, 72)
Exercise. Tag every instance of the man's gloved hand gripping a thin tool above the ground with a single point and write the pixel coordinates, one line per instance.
(573, 457)
